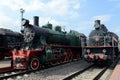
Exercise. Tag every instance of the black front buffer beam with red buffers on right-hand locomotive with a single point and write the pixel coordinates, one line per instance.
(100, 54)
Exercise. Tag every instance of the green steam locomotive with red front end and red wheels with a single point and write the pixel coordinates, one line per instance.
(45, 46)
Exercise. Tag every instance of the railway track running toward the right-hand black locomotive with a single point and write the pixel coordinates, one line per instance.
(91, 71)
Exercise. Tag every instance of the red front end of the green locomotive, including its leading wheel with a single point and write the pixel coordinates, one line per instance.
(26, 59)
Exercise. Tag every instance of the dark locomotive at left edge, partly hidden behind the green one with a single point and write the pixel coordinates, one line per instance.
(8, 41)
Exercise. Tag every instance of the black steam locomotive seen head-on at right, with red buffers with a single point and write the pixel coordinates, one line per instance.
(102, 45)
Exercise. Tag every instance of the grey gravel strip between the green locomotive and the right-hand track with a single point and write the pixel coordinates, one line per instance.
(57, 73)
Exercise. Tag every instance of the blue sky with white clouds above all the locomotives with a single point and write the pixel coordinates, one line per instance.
(76, 15)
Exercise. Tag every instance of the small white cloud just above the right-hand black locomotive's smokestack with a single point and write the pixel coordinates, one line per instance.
(103, 18)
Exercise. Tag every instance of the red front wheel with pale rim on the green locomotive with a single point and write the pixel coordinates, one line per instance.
(34, 63)
